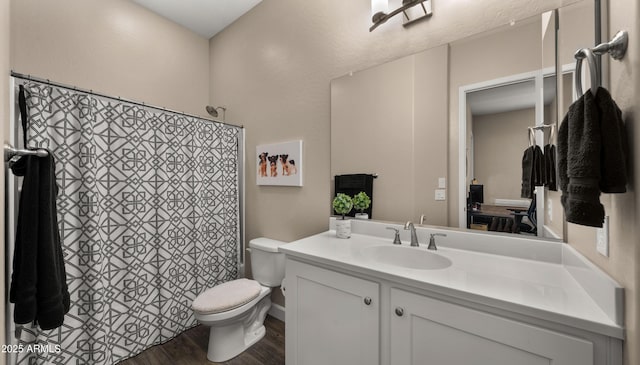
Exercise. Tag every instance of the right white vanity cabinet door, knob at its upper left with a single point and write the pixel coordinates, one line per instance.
(428, 331)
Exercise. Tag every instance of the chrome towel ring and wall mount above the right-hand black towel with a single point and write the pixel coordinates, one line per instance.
(616, 48)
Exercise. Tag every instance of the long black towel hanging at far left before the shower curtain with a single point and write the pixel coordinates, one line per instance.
(38, 283)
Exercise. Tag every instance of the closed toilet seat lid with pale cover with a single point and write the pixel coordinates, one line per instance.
(226, 296)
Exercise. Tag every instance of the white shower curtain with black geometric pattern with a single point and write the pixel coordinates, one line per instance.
(148, 210)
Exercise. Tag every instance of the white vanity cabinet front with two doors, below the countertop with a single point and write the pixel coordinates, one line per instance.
(344, 317)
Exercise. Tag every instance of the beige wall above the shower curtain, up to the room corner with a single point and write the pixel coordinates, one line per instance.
(116, 47)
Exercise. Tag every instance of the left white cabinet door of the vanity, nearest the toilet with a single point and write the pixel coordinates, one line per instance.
(331, 318)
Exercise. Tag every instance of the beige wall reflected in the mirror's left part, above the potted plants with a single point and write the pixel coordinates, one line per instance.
(392, 120)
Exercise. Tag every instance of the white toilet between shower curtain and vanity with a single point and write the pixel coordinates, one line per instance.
(235, 310)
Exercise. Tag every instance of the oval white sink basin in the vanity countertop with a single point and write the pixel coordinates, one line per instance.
(408, 257)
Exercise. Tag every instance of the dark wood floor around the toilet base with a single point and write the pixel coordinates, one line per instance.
(190, 348)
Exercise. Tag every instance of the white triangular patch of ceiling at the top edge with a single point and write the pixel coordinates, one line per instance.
(204, 17)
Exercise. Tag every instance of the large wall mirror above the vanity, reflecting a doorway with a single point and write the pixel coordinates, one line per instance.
(445, 130)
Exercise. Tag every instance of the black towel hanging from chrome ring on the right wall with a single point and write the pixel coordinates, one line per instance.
(591, 157)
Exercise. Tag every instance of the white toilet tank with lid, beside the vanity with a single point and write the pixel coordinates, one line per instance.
(267, 264)
